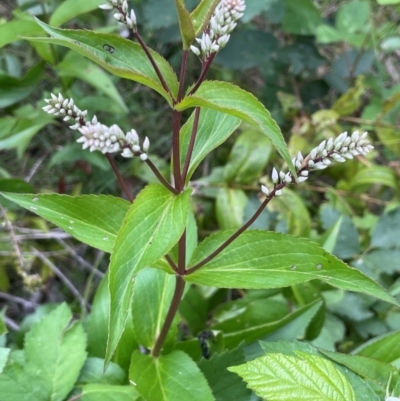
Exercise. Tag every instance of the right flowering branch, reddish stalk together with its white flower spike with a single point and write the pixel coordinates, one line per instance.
(339, 149)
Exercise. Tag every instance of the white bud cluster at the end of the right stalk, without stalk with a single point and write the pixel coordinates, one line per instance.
(340, 149)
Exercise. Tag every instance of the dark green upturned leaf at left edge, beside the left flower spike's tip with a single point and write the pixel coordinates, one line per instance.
(12, 89)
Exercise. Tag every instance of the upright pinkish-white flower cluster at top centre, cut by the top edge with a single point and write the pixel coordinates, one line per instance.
(222, 23)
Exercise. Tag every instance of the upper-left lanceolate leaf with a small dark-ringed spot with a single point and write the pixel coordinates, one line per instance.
(117, 55)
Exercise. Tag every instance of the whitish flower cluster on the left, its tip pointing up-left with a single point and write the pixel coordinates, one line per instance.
(97, 136)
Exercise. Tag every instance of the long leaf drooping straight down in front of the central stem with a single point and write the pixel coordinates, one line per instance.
(152, 226)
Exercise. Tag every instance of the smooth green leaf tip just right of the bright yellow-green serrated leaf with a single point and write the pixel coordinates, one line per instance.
(366, 367)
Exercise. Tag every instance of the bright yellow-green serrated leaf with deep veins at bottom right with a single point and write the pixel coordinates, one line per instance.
(305, 377)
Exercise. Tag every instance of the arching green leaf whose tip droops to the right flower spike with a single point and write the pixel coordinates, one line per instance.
(230, 99)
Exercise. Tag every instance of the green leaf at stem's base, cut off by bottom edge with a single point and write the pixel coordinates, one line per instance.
(172, 377)
